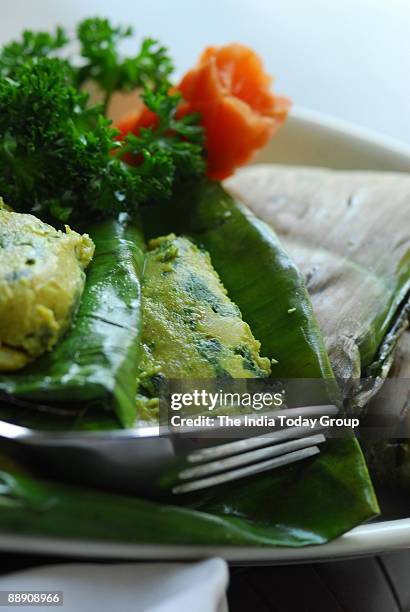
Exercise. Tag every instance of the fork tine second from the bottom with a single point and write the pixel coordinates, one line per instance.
(250, 457)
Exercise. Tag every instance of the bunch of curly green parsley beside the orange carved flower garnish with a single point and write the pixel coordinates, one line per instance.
(59, 154)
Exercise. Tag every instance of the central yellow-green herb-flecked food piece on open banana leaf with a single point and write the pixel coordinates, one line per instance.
(191, 328)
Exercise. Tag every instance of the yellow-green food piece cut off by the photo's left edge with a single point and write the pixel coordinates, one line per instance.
(41, 281)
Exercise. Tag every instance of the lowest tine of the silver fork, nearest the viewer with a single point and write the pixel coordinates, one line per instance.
(249, 470)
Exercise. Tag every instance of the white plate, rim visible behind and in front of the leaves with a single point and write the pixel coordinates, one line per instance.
(306, 139)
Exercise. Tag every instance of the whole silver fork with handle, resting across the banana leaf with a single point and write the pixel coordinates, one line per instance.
(152, 462)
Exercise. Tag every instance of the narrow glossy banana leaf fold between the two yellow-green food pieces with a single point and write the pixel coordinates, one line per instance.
(96, 361)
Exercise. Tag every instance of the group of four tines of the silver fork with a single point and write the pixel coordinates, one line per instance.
(246, 457)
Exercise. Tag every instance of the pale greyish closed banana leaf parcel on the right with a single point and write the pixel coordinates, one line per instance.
(349, 233)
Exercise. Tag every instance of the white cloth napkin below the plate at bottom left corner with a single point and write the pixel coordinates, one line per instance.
(131, 587)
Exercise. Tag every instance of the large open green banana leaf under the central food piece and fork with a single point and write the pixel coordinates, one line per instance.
(304, 504)
